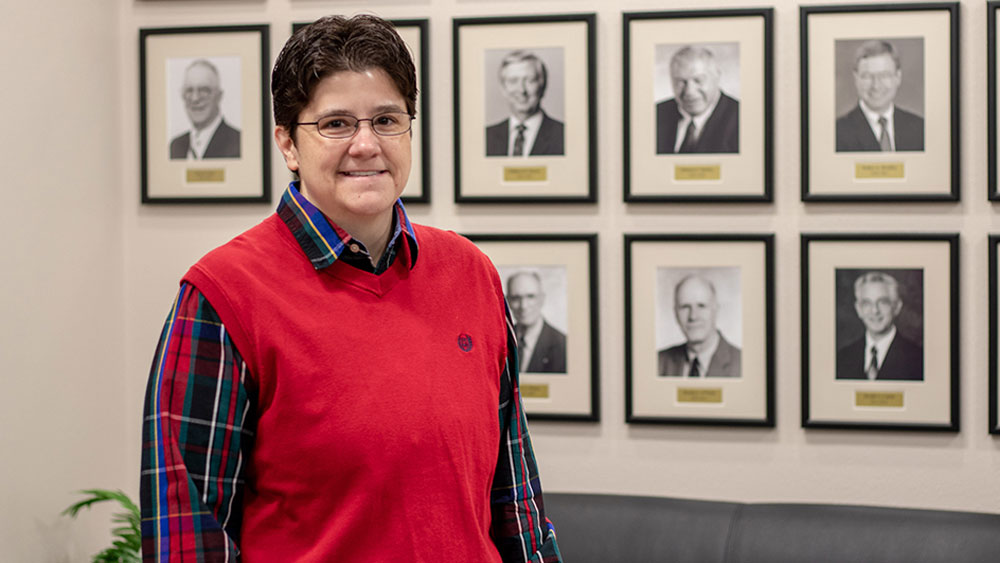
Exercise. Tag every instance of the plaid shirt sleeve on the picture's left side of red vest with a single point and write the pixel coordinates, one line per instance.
(197, 430)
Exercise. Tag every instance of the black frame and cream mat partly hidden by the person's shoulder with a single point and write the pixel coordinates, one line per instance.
(566, 262)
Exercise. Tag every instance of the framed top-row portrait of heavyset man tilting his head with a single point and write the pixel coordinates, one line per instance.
(698, 105)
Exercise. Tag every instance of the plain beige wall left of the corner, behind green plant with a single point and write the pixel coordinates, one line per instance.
(62, 410)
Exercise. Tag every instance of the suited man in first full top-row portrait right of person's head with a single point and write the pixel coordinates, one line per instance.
(529, 131)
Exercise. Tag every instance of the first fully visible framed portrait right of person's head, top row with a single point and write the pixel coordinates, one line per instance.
(525, 109)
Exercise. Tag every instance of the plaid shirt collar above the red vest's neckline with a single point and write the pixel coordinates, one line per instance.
(323, 241)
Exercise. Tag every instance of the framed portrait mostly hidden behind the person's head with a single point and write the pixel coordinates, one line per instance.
(415, 34)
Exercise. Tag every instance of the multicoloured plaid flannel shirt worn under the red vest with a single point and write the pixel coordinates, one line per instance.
(199, 420)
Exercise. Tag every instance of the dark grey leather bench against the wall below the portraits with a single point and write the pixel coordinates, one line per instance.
(635, 529)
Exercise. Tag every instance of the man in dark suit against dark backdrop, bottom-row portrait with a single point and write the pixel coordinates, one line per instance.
(882, 353)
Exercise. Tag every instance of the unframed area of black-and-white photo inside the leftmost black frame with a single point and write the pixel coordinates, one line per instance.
(203, 110)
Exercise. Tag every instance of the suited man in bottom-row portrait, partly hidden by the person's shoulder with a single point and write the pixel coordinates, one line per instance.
(541, 348)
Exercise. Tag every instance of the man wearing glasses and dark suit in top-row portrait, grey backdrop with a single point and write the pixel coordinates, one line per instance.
(876, 123)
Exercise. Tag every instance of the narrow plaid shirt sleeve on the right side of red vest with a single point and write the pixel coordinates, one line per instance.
(520, 530)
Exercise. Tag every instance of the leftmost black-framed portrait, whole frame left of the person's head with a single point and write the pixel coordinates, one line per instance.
(204, 114)
